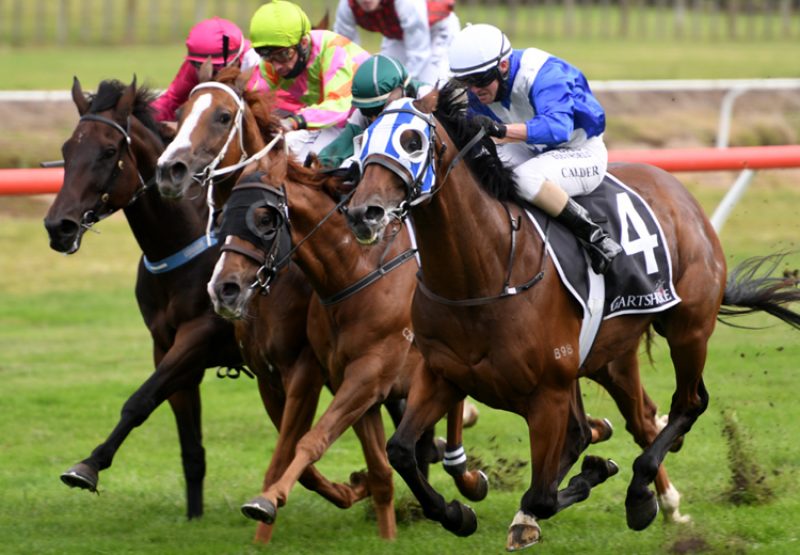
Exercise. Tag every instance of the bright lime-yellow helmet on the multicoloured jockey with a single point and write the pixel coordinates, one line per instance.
(278, 24)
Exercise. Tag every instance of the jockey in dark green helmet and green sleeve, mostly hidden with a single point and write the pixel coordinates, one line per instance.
(378, 81)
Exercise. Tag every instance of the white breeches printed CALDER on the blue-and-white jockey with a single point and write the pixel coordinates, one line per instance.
(578, 167)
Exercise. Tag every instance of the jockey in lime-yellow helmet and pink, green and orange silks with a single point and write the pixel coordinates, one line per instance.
(314, 67)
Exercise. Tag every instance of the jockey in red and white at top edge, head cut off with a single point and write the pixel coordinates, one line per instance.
(415, 32)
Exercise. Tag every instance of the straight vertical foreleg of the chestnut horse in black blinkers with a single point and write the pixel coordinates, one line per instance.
(369, 429)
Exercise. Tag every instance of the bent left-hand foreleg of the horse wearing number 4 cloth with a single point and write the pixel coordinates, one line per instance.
(429, 398)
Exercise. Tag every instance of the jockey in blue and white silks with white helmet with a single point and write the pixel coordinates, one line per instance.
(548, 126)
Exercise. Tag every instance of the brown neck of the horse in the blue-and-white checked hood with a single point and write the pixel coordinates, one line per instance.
(464, 238)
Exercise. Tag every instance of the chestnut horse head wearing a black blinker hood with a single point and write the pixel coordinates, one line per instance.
(255, 224)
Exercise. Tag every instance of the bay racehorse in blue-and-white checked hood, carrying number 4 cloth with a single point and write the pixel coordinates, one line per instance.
(493, 319)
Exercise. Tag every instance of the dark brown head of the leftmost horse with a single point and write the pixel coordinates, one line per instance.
(113, 142)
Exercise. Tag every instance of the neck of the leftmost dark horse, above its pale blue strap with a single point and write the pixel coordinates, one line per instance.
(161, 227)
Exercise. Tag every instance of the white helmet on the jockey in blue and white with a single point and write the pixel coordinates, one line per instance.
(477, 49)
